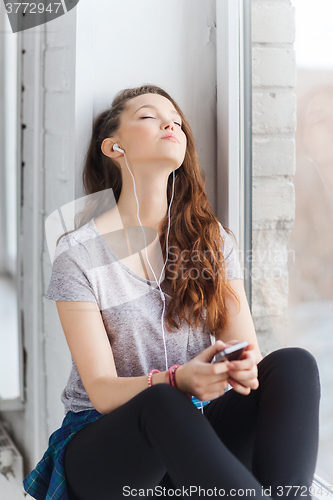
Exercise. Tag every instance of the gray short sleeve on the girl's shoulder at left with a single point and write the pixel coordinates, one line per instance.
(69, 281)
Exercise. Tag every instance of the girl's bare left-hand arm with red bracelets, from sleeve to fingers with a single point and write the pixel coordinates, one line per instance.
(90, 347)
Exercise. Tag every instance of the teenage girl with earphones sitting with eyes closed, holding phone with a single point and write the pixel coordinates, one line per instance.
(147, 412)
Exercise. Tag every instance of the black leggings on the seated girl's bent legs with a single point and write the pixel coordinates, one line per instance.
(160, 441)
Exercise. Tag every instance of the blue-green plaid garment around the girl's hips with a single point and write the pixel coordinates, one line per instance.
(47, 480)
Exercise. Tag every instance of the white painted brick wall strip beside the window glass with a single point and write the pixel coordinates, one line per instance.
(274, 125)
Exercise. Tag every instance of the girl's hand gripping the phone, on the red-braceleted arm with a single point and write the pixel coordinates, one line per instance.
(203, 379)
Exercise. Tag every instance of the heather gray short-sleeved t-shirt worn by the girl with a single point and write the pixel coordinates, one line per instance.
(85, 268)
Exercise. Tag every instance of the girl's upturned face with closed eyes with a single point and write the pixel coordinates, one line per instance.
(144, 125)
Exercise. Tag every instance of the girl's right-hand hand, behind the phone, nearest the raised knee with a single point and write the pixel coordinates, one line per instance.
(243, 373)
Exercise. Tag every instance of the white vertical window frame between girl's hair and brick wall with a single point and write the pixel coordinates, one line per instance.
(234, 126)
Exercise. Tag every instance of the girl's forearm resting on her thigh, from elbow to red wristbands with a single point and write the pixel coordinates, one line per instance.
(109, 393)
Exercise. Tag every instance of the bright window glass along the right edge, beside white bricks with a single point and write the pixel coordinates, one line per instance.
(310, 246)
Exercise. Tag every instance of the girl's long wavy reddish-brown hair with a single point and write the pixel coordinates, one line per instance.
(202, 284)
